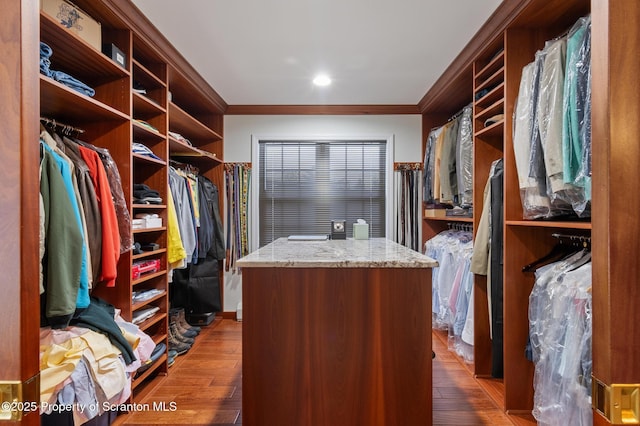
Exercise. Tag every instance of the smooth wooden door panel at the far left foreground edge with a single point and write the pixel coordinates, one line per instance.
(19, 193)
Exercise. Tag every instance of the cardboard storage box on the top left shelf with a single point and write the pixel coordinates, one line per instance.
(75, 20)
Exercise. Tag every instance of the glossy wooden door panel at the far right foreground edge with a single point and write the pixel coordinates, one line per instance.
(616, 106)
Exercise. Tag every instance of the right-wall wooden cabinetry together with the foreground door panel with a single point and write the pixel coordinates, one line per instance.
(494, 61)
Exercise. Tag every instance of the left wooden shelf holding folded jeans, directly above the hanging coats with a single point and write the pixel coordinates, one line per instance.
(65, 104)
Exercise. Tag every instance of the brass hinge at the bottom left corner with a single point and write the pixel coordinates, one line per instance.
(19, 399)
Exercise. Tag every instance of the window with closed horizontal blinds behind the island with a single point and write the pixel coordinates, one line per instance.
(304, 185)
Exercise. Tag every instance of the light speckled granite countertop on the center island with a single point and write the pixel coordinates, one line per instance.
(371, 253)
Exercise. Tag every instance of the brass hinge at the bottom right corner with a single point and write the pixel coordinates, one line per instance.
(618, 403)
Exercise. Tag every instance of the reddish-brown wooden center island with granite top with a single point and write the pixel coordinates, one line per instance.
(336, 333)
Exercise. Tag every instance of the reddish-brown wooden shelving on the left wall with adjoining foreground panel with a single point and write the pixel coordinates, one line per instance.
(175, 98)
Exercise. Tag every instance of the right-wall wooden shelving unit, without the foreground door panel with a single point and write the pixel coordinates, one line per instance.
(491, 75)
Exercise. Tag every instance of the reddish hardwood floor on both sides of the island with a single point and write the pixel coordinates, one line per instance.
(206, 387)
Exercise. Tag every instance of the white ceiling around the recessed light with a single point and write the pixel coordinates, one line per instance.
(266, 52)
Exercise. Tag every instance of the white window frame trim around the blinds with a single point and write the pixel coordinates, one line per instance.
(254, 236)
